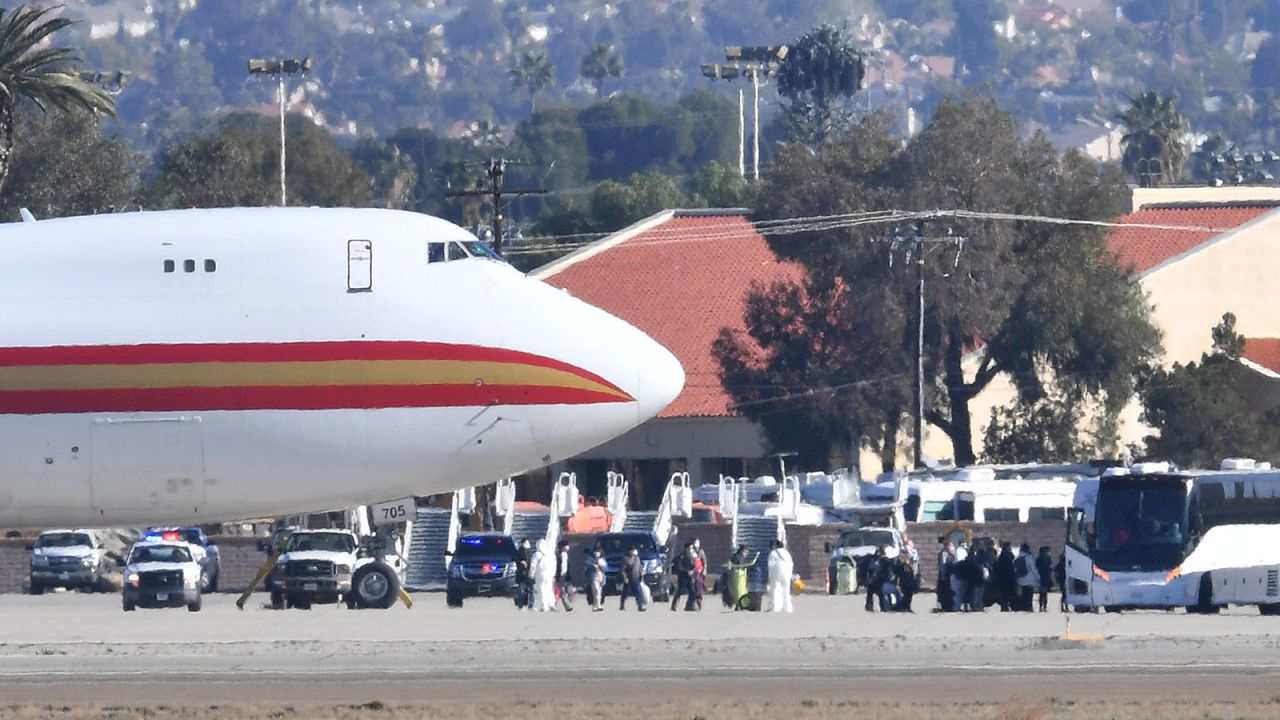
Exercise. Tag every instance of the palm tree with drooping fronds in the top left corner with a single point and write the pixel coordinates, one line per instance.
(43, 75)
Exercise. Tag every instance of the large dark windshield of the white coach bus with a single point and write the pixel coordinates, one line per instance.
(1141, 526)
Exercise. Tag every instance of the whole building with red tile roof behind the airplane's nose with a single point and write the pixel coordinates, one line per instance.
(680, 276)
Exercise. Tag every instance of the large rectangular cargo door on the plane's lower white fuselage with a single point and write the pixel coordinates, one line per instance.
(148, 464)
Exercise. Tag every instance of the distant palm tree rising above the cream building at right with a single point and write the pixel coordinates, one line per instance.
(1154, 151)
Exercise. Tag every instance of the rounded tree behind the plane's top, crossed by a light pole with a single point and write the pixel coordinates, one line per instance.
(237, 165)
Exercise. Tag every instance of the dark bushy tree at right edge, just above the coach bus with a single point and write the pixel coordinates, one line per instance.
(1204, 412)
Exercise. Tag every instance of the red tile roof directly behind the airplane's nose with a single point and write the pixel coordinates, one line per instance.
(682, 282)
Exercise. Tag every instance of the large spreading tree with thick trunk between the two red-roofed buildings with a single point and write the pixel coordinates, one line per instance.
(1045, 306)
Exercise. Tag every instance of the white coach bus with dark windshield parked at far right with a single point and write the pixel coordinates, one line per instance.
(1149, 537)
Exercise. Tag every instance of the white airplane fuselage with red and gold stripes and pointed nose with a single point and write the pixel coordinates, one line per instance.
(202, 366)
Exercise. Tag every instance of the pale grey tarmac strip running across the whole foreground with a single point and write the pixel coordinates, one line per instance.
(70, 649)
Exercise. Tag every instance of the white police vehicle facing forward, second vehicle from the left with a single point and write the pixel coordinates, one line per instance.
(162, 572)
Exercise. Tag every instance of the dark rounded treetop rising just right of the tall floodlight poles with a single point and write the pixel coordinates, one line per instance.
(820, 74)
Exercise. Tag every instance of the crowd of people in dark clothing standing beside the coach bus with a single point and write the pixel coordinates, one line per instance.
(972, 578)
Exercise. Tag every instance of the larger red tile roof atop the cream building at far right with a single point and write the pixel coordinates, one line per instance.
(1146, 248)
